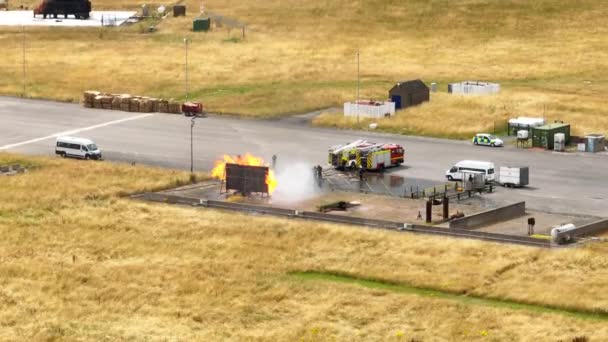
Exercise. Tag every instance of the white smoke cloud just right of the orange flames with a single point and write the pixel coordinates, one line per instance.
(296, 182)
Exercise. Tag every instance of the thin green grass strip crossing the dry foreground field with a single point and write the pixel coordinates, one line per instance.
(468, 299)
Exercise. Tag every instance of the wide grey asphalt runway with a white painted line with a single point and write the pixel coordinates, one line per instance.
(566, 183)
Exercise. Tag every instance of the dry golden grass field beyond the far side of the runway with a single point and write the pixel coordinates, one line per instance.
(548, 55)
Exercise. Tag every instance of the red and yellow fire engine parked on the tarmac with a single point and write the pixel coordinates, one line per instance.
(365, 154)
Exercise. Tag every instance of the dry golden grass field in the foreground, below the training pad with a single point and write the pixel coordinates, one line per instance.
(79, 261)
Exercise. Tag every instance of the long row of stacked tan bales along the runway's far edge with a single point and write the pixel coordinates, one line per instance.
(130, 103)
